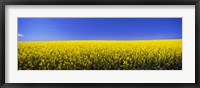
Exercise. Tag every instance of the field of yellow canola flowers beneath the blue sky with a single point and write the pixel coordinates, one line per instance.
(101, 55)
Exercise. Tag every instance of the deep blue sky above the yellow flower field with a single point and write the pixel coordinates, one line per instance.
(47, 29)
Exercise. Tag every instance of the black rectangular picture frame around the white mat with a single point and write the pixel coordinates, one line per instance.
(99, 2)
